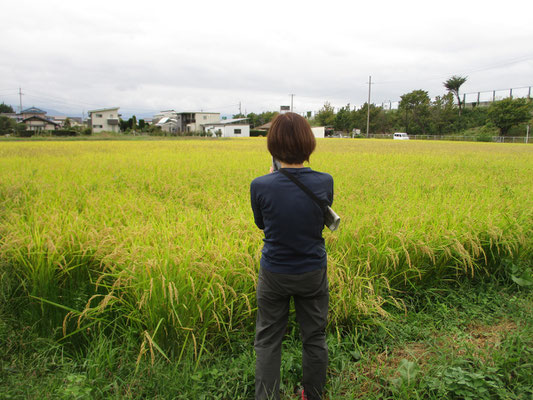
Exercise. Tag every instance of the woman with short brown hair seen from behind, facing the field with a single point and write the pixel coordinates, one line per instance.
(294, 259)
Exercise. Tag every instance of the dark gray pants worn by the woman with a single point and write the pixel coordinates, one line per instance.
(311, 296)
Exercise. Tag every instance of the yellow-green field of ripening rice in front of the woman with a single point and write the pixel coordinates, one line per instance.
(157, 237)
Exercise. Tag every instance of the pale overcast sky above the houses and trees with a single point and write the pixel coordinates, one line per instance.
(210, 55)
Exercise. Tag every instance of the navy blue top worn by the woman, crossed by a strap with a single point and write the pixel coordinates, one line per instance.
(291, 220)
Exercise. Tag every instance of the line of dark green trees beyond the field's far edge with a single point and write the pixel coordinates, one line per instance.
(417, 114)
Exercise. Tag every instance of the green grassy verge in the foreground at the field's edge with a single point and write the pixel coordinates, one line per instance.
(473, 339)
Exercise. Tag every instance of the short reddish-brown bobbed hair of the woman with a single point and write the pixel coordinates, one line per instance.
(290, 139)
